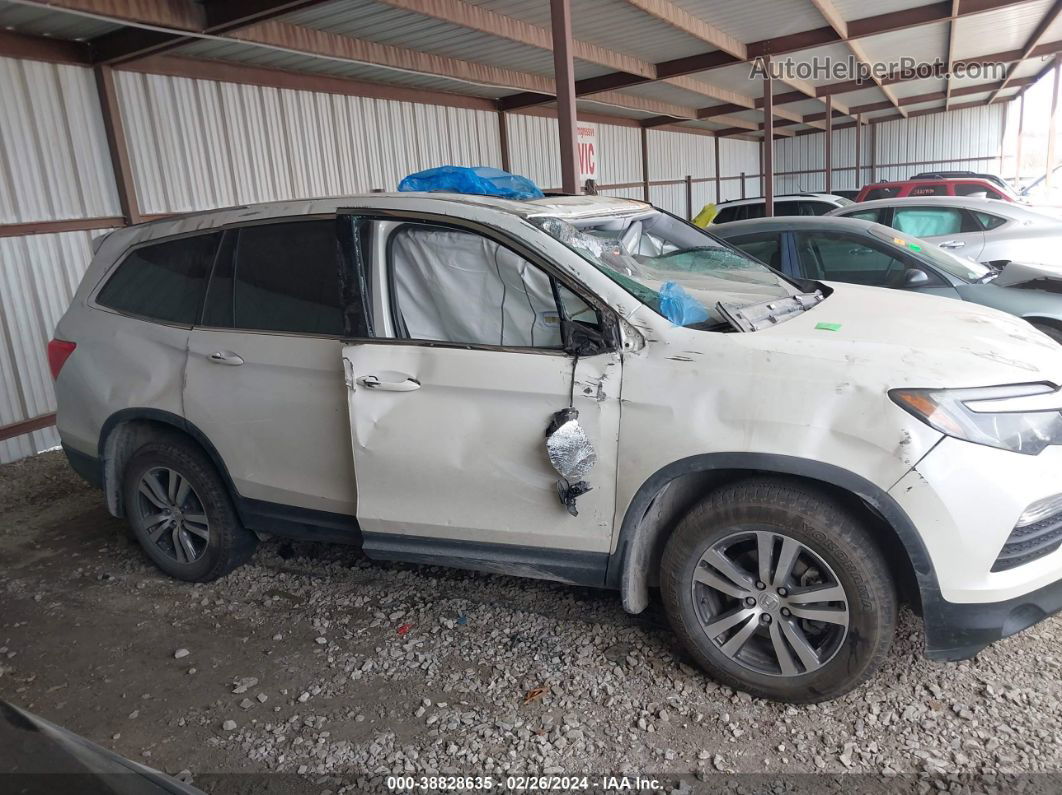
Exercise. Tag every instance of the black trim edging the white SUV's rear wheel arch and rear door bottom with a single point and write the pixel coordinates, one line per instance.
(289, 522)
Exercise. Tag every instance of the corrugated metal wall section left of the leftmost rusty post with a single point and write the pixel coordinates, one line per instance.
(55, 165)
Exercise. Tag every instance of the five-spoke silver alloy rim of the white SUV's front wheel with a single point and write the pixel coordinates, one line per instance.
(770, 603)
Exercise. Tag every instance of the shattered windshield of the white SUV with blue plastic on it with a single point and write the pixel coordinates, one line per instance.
(674, 268)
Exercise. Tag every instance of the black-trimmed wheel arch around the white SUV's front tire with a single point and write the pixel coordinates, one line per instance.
(671, 492)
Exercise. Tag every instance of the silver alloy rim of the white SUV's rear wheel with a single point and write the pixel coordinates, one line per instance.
(172, 515)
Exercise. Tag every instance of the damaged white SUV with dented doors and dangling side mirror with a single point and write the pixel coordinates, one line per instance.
(581, 389)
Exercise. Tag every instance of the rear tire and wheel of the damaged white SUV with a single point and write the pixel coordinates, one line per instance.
(181, 513)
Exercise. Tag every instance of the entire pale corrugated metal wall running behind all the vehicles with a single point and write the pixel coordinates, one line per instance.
(196, 145)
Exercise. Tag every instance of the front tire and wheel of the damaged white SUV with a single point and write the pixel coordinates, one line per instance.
(778, 591)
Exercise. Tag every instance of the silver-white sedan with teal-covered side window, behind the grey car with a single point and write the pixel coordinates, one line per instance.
(982, 230)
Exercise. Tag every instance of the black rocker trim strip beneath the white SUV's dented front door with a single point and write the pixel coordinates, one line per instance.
(566, 566)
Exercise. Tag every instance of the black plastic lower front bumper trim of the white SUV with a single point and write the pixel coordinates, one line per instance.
(958, 632)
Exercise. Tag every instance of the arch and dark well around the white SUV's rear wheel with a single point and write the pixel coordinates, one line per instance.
(127, 430)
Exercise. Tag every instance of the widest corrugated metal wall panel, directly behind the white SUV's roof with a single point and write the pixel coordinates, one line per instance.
(199, 144)
